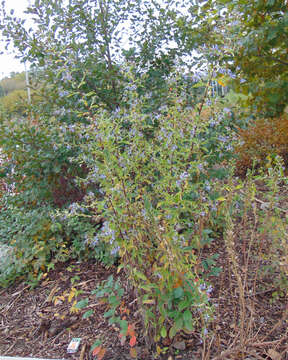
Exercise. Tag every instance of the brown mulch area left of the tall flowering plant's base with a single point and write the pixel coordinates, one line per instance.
(39, 322)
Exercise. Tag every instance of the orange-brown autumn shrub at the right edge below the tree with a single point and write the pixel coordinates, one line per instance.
(262, 138)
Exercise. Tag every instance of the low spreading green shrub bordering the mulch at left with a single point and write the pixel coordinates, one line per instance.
(40, 237)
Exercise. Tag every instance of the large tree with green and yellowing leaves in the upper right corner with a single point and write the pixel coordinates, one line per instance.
(254, 37)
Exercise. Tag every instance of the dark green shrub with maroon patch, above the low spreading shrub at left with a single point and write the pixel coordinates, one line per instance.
(37, 162)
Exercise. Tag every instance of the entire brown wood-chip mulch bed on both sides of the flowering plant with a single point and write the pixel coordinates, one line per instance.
(39, 322)
